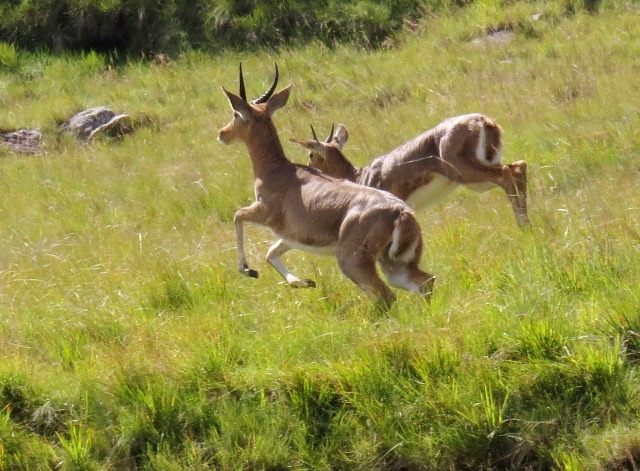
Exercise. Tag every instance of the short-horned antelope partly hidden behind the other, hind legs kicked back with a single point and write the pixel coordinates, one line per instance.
(465, 150)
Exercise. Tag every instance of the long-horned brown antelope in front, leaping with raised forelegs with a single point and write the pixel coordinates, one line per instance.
(311, 211)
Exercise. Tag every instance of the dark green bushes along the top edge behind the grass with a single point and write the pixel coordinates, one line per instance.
(169, 26)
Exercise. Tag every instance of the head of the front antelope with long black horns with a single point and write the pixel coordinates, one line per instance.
(249, 117)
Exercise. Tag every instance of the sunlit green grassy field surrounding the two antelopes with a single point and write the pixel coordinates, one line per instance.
(128, 339)
